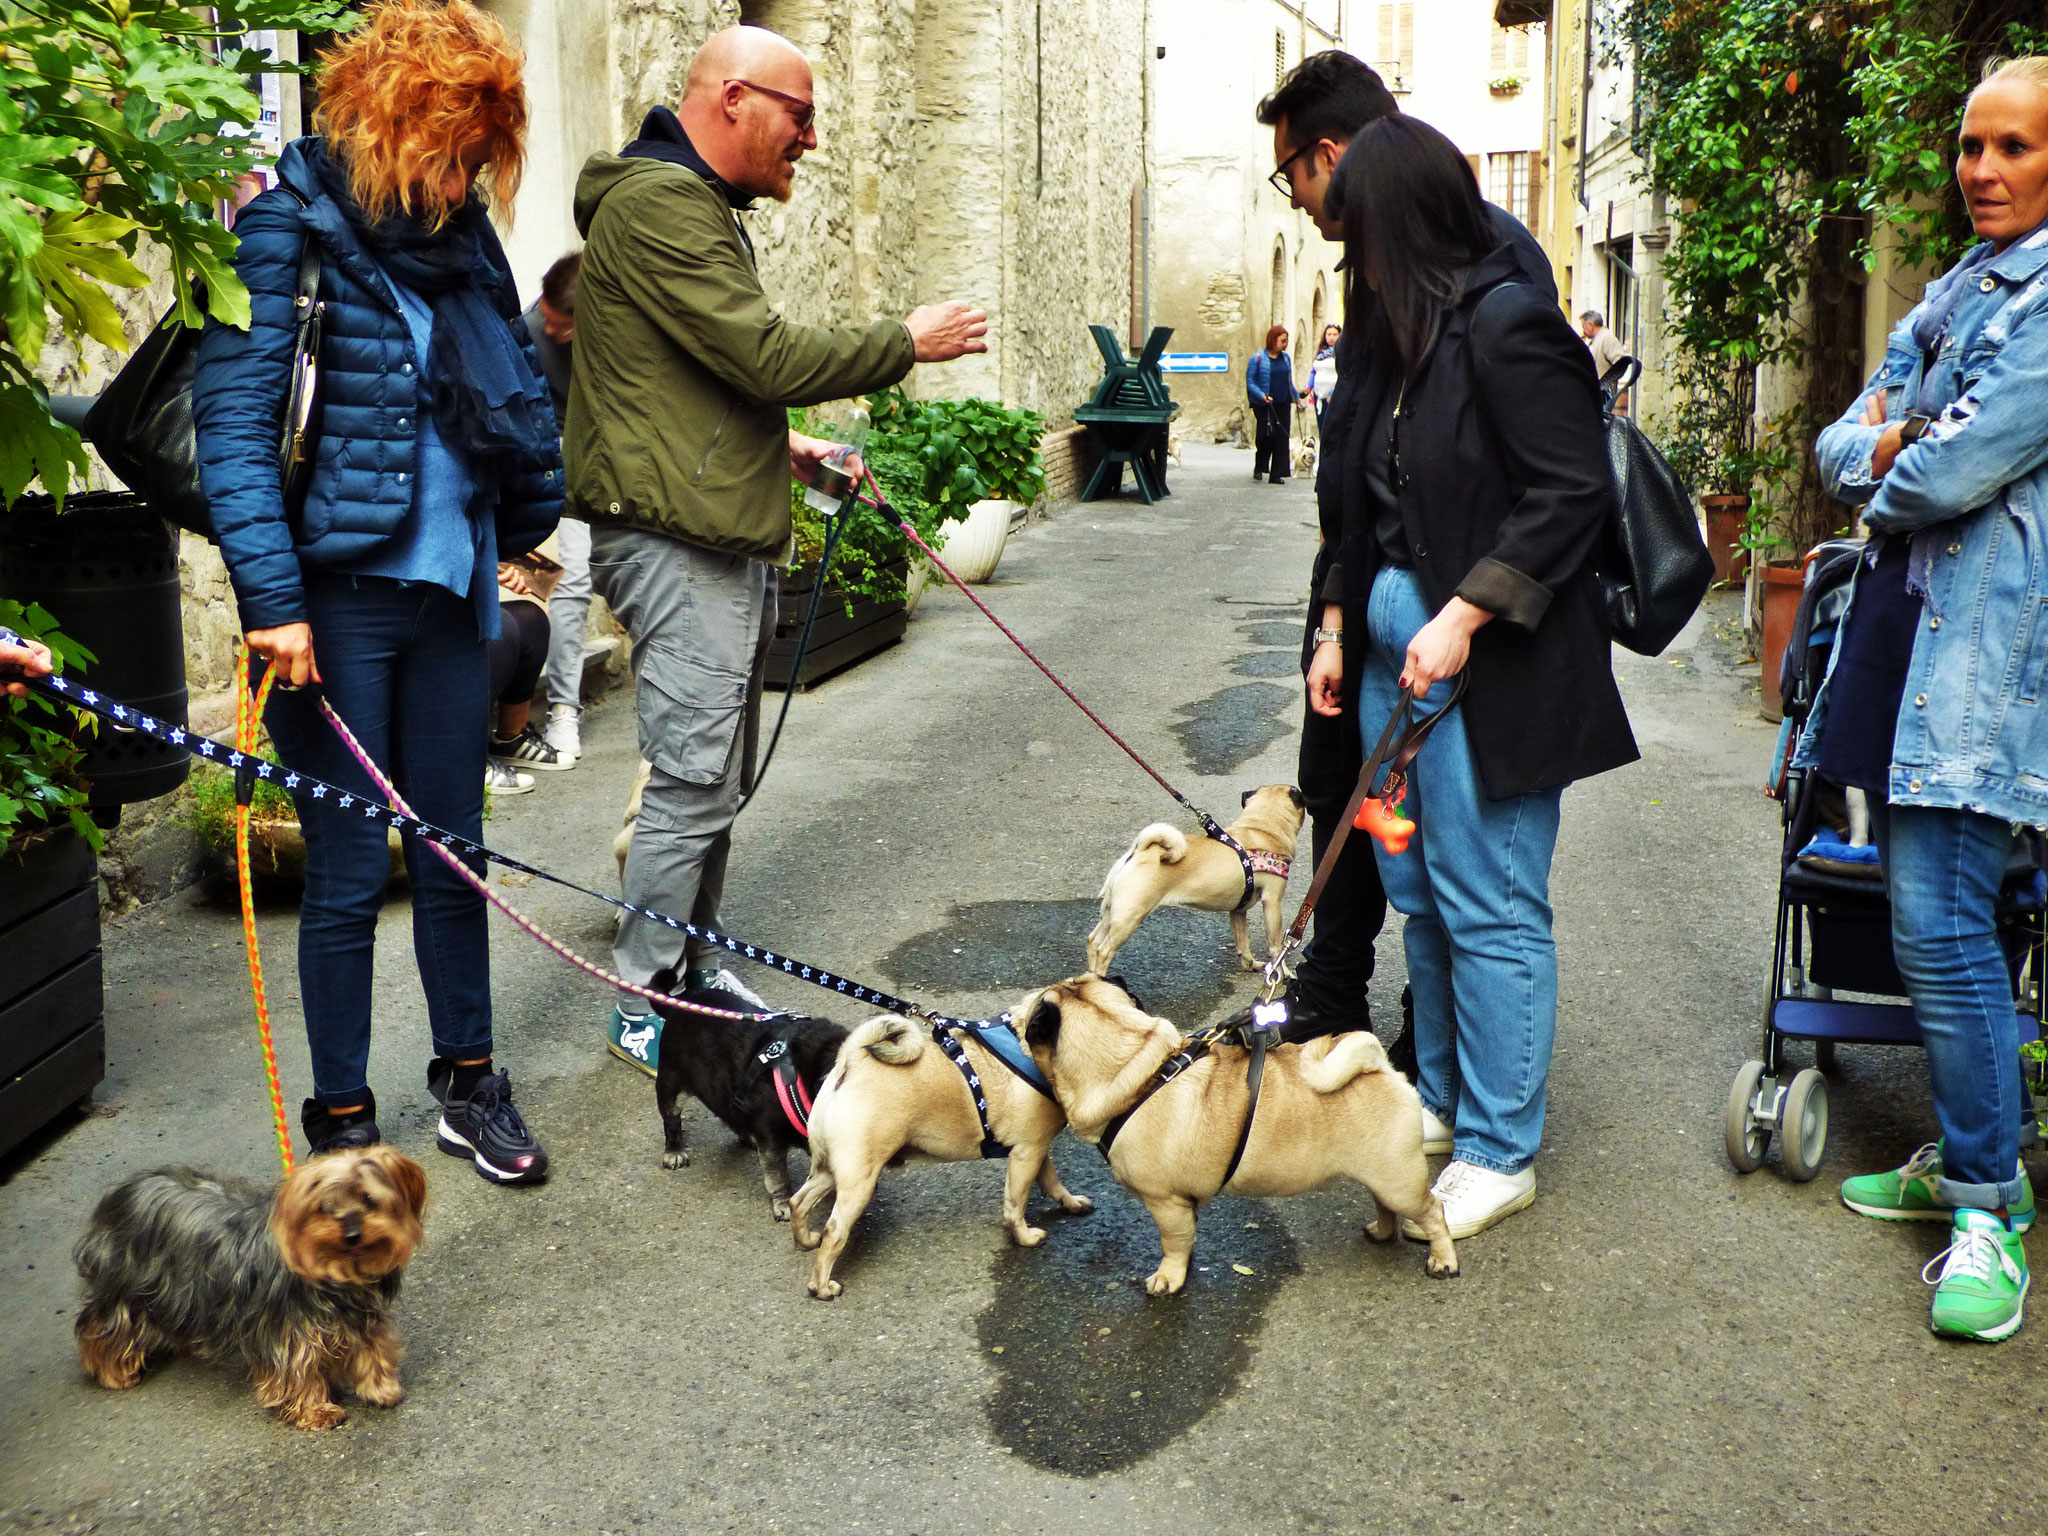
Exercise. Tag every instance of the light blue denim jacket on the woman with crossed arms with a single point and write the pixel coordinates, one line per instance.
(1973, 724)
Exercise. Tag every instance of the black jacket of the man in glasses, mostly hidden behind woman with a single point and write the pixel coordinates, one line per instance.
(1330, 746)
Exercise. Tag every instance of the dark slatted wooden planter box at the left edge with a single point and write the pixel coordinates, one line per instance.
(52, 1035)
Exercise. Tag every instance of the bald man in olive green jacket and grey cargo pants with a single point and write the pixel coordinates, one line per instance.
(681, 458)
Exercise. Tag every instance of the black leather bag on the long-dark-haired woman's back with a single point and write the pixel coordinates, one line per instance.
(1654, 564)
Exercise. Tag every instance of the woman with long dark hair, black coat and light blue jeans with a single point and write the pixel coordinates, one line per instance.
(1476, 486)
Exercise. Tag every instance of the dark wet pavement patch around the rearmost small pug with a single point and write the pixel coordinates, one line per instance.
(1181, 964)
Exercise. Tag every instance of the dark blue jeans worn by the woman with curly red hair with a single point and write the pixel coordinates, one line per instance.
(402, 663)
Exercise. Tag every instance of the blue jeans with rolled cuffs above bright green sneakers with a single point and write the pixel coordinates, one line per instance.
(1943, 873)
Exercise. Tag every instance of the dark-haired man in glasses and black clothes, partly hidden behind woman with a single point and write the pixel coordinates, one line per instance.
(1316, 114)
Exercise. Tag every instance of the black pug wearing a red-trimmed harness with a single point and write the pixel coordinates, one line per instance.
(757, 1076)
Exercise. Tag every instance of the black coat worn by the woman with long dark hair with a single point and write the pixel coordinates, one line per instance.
(1506, 488)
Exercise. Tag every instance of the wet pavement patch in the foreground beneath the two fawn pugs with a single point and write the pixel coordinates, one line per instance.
(1091, 1373)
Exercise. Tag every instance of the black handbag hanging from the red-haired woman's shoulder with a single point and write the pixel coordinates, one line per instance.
(142, 423)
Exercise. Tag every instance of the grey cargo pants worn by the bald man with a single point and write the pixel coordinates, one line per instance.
(699, 624)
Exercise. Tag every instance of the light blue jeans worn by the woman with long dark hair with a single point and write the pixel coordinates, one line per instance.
(1476, 890)
